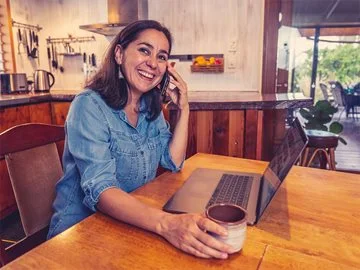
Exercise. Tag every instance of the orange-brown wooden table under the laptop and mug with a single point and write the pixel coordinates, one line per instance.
(312, 223)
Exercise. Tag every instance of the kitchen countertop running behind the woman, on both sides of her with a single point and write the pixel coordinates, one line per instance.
(199, 100)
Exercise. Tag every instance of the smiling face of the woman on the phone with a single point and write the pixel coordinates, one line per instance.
(144, 60)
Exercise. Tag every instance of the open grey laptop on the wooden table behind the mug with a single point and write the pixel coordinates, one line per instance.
(251, 191)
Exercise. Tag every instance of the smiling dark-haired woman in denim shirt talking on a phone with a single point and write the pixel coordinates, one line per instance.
(117, 136)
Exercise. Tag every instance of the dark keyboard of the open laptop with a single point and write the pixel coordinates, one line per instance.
(233, 189)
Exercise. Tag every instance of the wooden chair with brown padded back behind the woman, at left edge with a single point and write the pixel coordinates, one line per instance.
(32, 154)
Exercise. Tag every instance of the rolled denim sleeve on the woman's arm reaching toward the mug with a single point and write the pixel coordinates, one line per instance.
(88, 141)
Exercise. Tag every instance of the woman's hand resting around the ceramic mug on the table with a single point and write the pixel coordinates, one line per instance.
(188, 233)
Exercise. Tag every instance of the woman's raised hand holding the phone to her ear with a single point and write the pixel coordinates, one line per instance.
(178, 95)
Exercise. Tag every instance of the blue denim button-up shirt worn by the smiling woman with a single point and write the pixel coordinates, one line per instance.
(103, 150)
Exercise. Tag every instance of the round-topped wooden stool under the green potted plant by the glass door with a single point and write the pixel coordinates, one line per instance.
(321, 144)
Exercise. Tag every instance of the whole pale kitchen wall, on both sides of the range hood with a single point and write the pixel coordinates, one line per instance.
(231, 27)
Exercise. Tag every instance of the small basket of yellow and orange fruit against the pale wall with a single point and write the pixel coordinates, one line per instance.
(208, 65)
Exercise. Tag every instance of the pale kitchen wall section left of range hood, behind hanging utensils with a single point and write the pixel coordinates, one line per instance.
(59, 18)
